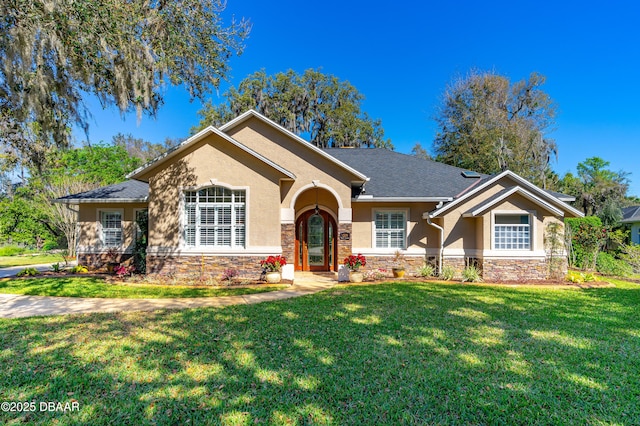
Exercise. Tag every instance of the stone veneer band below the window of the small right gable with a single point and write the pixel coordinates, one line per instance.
(495, 270)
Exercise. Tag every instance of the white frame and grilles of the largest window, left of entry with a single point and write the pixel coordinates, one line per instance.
(233, 226)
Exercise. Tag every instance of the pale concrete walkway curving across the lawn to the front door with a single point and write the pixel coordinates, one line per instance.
(18, 306)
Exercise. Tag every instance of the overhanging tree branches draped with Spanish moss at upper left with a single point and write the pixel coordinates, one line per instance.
(53, 54)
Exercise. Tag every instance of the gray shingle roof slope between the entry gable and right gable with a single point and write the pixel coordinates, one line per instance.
(399, 175)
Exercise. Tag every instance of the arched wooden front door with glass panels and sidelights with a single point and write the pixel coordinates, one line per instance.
(316, 248)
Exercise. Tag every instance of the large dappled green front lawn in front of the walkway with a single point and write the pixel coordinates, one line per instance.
(396, 353)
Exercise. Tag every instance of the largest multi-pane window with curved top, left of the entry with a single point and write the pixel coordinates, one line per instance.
(215, 217)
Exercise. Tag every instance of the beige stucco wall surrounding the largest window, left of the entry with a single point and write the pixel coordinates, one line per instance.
(214, 161)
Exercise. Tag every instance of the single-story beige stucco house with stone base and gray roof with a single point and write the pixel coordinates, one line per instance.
(227, 197)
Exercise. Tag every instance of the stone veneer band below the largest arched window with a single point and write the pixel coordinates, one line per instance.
(248, 267)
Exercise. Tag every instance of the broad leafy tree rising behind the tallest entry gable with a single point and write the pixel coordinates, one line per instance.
(314, 104)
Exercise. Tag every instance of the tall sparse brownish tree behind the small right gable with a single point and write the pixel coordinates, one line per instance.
(489, 125)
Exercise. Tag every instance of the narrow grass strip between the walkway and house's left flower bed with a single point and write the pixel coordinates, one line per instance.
(78, 286)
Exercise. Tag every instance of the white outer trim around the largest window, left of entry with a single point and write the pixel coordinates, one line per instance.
(184, 248)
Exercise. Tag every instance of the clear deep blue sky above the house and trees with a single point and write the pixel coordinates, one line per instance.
(402, 55)
